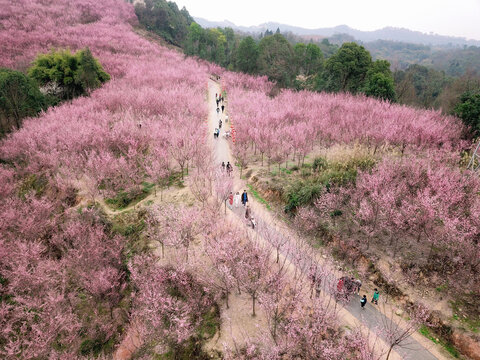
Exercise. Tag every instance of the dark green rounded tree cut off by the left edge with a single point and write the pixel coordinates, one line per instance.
(19, 98)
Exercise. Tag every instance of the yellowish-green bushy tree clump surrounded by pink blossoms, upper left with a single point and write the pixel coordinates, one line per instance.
(70, 75)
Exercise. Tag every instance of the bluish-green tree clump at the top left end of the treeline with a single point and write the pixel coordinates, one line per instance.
(165, 19)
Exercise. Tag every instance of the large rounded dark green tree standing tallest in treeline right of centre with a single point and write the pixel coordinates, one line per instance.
(347, 69)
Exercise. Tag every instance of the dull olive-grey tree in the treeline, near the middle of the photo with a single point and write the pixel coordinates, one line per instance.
(276, 59)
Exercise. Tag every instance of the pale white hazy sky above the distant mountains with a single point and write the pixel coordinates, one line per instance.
(444, 17)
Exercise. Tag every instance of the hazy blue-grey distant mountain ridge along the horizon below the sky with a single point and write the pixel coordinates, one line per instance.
(387, 33)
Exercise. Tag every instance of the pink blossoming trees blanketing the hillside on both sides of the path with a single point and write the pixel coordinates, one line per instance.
(71, 283)
